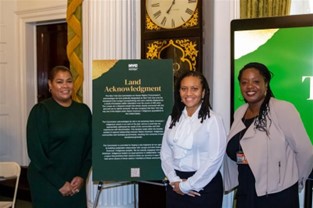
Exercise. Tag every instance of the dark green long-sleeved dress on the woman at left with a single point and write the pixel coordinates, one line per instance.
(59, 147)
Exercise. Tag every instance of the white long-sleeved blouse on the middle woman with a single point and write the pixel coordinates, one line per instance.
(193, 146)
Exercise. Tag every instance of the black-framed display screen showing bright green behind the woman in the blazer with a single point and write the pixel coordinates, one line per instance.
(285, 46)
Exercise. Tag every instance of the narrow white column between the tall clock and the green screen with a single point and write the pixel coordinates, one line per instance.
(224, 12)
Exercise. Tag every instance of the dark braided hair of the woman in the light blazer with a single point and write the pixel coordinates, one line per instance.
(261, 122)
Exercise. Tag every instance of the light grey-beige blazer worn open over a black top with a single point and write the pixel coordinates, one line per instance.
(278, 160)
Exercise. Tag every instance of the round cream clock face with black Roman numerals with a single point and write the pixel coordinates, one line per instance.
(170, 14)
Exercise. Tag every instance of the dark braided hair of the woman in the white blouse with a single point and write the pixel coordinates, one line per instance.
(178, 106)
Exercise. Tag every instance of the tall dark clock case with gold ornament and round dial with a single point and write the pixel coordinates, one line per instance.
(172, 29)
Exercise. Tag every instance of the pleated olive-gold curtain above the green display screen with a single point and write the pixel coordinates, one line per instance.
(264, 8)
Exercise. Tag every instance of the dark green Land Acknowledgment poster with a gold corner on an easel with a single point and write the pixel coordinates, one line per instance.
(131, 102)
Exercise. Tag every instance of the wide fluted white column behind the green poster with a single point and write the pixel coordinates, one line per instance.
(111, 30)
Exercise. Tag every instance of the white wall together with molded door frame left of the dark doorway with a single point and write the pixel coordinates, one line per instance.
(18, 69)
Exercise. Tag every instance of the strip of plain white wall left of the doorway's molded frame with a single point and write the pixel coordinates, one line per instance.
(11, 145)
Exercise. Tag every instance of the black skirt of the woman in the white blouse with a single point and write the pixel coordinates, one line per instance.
(211, 195)
